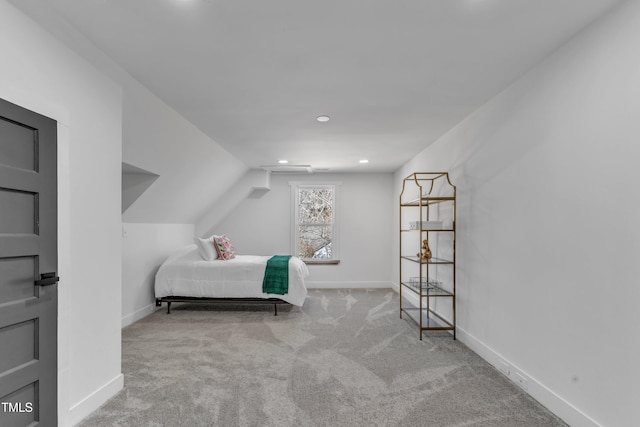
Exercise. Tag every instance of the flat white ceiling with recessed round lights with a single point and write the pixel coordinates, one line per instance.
(393, 75)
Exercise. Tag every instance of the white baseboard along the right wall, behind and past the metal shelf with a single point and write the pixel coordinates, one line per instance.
(534, 388)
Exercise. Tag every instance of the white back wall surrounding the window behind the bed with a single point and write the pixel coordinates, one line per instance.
(262, 226)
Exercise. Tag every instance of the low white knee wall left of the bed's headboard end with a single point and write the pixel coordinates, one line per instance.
(144, 248)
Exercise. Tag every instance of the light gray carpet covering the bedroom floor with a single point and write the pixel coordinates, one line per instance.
(344, 359)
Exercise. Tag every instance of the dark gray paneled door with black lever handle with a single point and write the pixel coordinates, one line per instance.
(28, 265)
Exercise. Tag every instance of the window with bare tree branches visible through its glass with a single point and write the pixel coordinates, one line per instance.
(315, 222)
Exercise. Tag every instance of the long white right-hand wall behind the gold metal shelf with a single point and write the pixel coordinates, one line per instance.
(548, 230)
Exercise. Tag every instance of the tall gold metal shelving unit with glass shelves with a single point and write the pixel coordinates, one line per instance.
(428, 284)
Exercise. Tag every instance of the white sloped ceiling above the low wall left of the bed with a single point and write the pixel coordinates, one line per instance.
(193, 170)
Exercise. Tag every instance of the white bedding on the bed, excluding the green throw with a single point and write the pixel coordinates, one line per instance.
(186, 274)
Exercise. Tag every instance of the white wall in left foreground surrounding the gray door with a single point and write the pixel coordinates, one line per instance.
(40, 74)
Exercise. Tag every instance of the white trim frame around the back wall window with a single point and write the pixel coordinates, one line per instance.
(335, 243)
